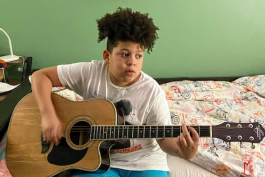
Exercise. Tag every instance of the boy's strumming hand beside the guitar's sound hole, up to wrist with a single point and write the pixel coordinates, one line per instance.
(51, 129)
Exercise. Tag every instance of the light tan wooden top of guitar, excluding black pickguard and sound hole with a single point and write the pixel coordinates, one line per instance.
(24, 157)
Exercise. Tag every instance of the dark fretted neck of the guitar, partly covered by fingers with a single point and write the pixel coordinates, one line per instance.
(132, 131)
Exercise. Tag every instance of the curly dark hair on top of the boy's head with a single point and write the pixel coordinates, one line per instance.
(125, 25)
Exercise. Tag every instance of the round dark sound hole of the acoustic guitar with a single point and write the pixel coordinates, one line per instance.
(80, 133)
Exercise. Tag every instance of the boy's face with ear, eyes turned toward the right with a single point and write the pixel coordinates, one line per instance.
(125, 63)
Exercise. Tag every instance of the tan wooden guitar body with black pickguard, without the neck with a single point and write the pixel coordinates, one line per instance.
(29, 155)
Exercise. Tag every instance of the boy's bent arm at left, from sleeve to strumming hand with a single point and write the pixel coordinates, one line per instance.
(42, 82)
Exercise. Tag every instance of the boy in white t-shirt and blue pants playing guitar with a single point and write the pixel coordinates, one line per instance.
(119, 78)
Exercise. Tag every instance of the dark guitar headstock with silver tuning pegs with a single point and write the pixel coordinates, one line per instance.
(239, 132)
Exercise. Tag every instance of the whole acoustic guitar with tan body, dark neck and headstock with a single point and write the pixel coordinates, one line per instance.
(90, 129)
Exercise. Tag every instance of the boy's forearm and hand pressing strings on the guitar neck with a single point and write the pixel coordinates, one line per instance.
(183, 146)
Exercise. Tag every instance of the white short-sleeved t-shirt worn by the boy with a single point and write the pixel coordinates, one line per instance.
(149, 107)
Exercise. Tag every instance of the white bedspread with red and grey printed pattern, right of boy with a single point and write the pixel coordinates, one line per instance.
(215, 102)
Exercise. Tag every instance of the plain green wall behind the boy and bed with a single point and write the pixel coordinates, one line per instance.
(197, 38)
